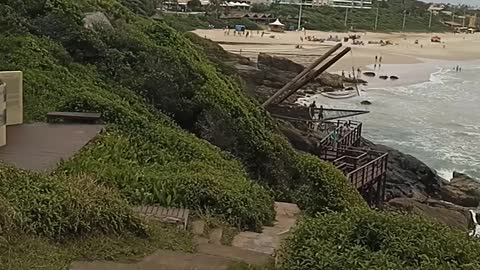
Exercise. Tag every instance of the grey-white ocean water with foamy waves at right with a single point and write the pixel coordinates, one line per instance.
(437, 121)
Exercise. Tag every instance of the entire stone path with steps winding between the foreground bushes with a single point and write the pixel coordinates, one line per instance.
(249, 247)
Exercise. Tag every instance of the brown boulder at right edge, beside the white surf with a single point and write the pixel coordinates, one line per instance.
(461, 190)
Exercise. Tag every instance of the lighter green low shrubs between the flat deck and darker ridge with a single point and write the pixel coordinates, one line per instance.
(143, 153)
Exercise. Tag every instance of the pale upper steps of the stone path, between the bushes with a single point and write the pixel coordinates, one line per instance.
(270, 238)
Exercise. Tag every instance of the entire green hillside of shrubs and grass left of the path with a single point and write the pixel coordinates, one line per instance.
(179, 133)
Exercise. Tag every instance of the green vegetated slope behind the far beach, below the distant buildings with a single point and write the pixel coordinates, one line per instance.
(390, 17)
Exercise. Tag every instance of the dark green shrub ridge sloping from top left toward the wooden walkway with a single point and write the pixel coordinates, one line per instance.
(163, 67)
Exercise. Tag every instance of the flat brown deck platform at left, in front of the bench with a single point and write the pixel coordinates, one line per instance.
(40, 146)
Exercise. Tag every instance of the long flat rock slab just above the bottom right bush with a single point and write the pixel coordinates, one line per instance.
(444, 212)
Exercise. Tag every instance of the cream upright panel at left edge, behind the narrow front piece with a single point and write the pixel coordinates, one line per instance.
(14, 89)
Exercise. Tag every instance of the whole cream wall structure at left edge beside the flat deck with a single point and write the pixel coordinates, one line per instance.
(11, 101)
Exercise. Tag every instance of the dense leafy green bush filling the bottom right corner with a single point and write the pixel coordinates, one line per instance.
(364, 239)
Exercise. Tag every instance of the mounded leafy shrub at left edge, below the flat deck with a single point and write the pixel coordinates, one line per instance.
(59, 208)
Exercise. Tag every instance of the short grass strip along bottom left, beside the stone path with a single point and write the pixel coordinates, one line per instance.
(26, 252)
